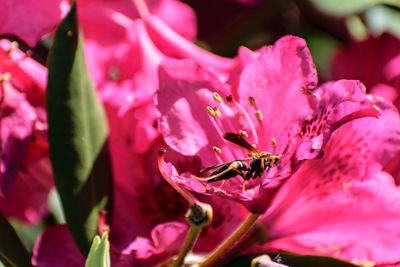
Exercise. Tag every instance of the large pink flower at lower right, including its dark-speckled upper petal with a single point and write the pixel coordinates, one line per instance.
(343, 205)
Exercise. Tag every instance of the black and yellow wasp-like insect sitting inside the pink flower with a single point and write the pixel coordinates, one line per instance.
(259, 162)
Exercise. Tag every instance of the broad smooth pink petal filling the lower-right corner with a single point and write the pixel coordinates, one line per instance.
(356, 222)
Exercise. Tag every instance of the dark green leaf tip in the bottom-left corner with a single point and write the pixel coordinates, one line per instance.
(12, 251)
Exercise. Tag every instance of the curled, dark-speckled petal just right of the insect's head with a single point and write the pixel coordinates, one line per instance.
(337, 103)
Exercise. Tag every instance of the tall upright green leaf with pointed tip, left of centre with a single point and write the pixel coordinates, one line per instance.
(77, 134)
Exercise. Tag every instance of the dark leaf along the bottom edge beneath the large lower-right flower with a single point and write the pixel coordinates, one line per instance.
(293, 260)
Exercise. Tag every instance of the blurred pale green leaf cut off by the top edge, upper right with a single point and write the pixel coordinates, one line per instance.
(342, 8)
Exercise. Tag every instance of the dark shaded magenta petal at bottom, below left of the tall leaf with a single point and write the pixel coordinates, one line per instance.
(55, 247)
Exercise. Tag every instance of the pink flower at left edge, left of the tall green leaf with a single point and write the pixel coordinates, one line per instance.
(25, 171)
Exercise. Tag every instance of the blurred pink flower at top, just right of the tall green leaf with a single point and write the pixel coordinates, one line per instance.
(123, 51)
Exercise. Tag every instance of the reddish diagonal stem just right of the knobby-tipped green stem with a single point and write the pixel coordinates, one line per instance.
(230, 241)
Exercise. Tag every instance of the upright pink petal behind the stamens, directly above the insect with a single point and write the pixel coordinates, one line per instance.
(276, 80)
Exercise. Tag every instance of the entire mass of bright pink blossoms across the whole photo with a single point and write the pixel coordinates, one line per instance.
(332, 192)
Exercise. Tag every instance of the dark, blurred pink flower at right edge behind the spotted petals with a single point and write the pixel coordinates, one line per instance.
(379, 71)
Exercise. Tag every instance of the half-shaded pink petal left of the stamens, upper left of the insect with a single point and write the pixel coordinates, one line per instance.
(186, 89)
